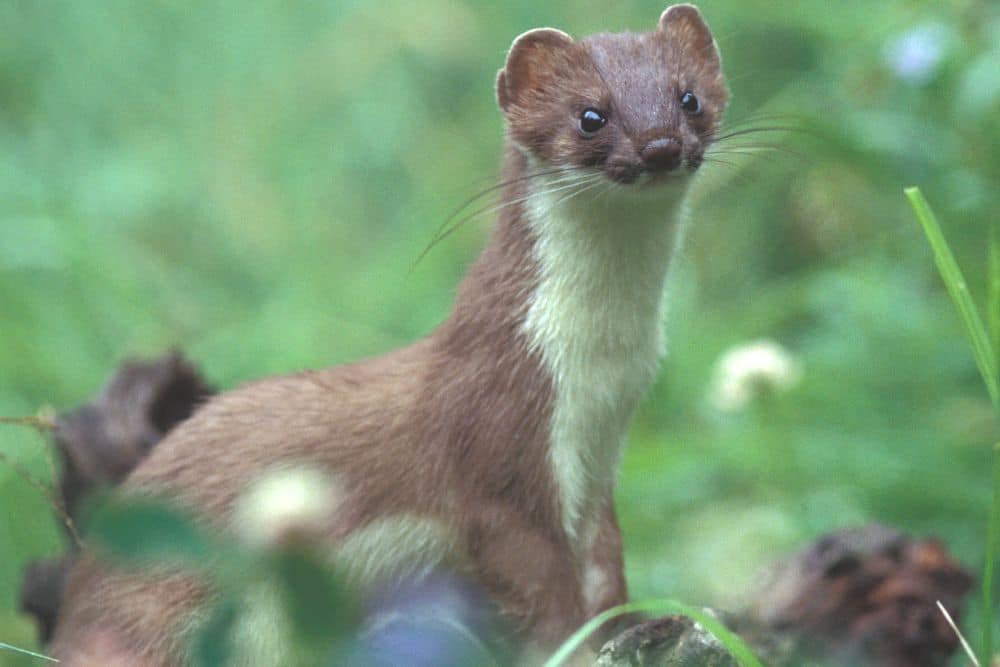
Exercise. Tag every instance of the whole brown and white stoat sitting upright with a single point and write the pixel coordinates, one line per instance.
(491, 446)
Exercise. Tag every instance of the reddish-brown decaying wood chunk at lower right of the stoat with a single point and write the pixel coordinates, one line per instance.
(866, 596)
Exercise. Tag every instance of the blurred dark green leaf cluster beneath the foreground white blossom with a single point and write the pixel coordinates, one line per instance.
(321, 615)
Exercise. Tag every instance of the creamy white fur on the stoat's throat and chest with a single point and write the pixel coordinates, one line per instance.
(596, 318)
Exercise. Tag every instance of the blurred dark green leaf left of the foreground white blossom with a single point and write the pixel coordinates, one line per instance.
(143, 530)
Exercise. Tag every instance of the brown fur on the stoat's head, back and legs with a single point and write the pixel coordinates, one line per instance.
(454, 427)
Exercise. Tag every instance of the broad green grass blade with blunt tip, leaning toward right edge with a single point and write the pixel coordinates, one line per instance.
(958, 289)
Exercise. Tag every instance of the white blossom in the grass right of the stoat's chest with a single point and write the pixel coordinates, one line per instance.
(745, 372)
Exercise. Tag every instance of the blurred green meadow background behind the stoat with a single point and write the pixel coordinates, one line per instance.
(252, 182)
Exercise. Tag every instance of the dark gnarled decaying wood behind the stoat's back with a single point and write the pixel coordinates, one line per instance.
(100, 443)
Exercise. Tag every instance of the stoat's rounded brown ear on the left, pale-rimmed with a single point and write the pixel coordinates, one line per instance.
(531, 63)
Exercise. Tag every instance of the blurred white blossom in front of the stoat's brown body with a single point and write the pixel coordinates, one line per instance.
(287, 506)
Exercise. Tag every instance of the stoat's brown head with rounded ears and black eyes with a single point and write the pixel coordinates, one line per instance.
(625, 104)
